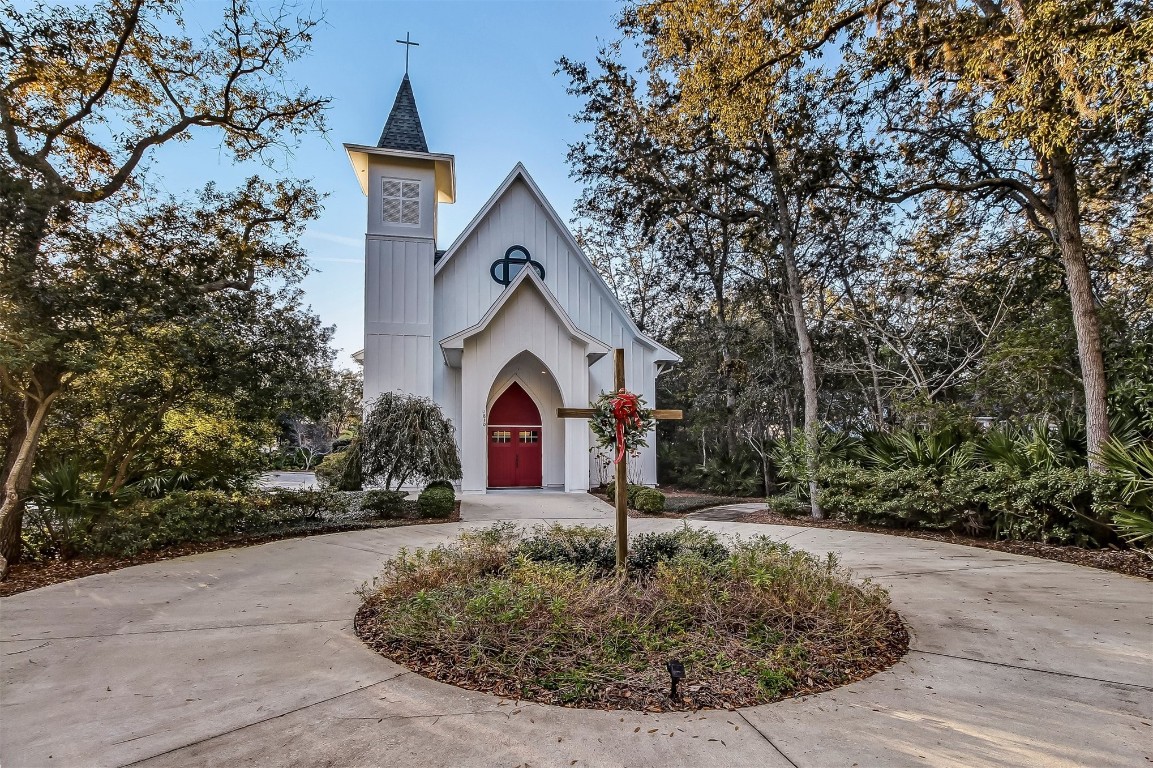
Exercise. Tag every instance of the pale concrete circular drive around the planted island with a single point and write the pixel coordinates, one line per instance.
(247, 657)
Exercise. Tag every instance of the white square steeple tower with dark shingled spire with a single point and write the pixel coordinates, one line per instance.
(404, 184)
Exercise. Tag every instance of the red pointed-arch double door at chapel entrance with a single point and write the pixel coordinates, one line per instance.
(515, 441)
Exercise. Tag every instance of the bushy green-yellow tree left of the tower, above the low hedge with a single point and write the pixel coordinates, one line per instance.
(242, 359)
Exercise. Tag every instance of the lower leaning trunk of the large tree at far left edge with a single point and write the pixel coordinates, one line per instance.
(25, 433)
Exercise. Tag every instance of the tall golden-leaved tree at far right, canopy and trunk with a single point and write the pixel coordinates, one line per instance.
(1034, 104)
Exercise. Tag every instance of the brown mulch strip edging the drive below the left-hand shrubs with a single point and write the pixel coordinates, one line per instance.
(29, 576)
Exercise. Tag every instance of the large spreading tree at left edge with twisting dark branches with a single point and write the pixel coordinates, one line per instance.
(87, 94)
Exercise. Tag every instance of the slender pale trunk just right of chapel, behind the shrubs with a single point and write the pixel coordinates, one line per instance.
(804, 343)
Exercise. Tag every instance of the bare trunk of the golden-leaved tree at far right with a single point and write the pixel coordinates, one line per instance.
(1087, 323)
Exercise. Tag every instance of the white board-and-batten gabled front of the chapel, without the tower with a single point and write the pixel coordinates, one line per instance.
(465, 290)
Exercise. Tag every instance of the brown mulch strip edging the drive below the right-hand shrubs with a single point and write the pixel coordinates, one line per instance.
(1128, 561)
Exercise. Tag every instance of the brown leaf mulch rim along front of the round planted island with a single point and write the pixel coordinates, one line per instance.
(719, 691)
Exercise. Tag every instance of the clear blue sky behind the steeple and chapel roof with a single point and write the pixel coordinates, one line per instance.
(485, 85)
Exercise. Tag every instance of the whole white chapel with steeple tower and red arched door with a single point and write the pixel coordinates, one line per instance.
(502, 328)
